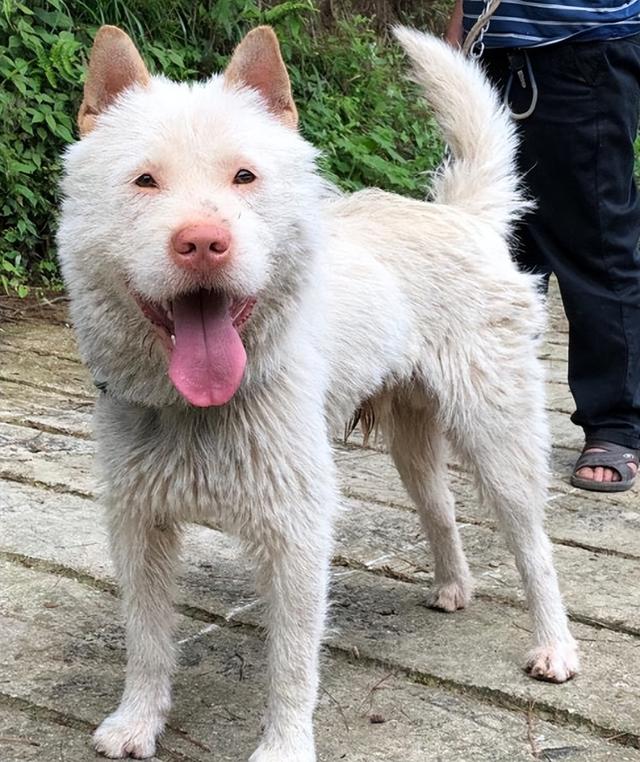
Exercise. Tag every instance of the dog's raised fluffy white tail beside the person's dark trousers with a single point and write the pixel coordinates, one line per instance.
(481, 177)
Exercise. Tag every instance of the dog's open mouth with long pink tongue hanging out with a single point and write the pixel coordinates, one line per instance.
(201, 333)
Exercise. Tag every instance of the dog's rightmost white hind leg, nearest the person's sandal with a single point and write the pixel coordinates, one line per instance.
(500, 428)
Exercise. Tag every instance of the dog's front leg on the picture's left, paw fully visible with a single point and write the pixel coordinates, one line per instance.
(145, 557)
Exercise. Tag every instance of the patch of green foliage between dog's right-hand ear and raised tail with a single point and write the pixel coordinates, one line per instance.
(357, 106)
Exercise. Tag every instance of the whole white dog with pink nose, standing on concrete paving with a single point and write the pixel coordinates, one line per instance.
(234, 307)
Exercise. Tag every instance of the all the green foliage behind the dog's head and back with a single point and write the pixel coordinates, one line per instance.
(354, 101)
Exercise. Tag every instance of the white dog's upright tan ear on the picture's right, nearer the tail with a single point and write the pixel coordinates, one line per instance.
(257, 63)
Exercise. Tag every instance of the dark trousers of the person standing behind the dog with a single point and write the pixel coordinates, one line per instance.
(577, 160)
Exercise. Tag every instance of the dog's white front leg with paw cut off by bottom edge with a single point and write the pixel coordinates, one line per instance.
(295, 574)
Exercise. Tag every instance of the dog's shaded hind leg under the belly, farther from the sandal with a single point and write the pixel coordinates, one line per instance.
(419, 451)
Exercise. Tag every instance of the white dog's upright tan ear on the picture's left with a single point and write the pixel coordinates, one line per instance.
(115, 65)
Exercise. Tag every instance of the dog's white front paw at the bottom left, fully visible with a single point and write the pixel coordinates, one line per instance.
(121, 736)
